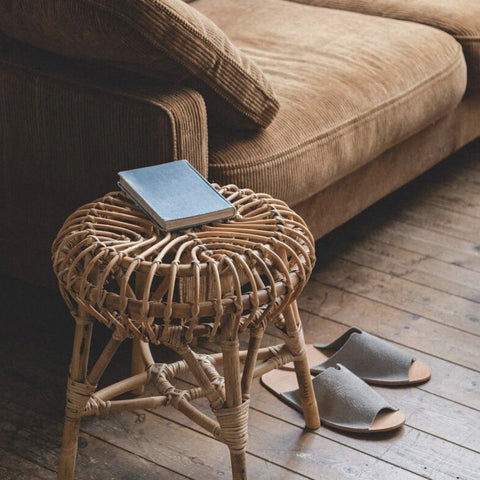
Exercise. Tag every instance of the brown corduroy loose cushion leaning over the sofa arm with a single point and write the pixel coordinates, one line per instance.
(167, 39)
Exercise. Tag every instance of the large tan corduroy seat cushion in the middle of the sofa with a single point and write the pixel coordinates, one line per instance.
(350, 87)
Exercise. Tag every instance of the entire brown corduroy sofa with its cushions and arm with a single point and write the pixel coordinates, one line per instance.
(326, 104)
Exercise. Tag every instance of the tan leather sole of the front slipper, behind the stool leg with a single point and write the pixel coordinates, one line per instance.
(280, 382)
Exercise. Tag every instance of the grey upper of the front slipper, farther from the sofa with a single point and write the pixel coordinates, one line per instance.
(344, 400)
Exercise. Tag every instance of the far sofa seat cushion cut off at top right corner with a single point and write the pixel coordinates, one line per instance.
(459, 18)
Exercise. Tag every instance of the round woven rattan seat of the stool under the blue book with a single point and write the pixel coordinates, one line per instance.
(251, 266)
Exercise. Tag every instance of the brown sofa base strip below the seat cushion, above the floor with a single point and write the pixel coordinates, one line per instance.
(351, 194)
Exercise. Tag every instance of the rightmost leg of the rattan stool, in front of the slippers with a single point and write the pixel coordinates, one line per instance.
(296, 343)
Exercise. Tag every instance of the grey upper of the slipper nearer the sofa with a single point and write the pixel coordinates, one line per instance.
(368, 357)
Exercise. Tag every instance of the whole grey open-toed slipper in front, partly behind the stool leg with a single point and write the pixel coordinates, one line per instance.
(344, 401)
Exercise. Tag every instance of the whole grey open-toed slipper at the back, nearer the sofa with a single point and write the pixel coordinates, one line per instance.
(373, 360)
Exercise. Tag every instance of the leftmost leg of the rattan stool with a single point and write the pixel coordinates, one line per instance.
(78, 373)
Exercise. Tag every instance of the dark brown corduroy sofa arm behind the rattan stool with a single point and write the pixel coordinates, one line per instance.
(63, 139)
